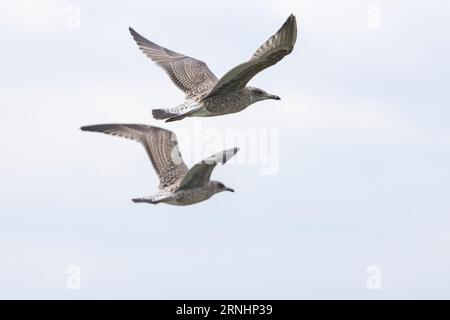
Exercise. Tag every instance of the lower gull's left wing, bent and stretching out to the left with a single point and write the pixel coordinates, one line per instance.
(161, 146)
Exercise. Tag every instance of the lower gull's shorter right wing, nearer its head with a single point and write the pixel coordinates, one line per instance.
(199, 174)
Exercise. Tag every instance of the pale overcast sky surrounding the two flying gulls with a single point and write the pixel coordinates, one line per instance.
(349, 170)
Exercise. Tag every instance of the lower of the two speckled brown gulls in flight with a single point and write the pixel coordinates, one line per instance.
(178, 184)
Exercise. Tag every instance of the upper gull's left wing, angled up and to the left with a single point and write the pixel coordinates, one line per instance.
(192, 76)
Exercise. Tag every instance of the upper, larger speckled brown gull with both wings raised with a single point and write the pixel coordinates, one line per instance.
(208, 96)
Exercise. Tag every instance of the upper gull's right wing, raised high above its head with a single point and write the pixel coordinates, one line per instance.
(268, 54)
